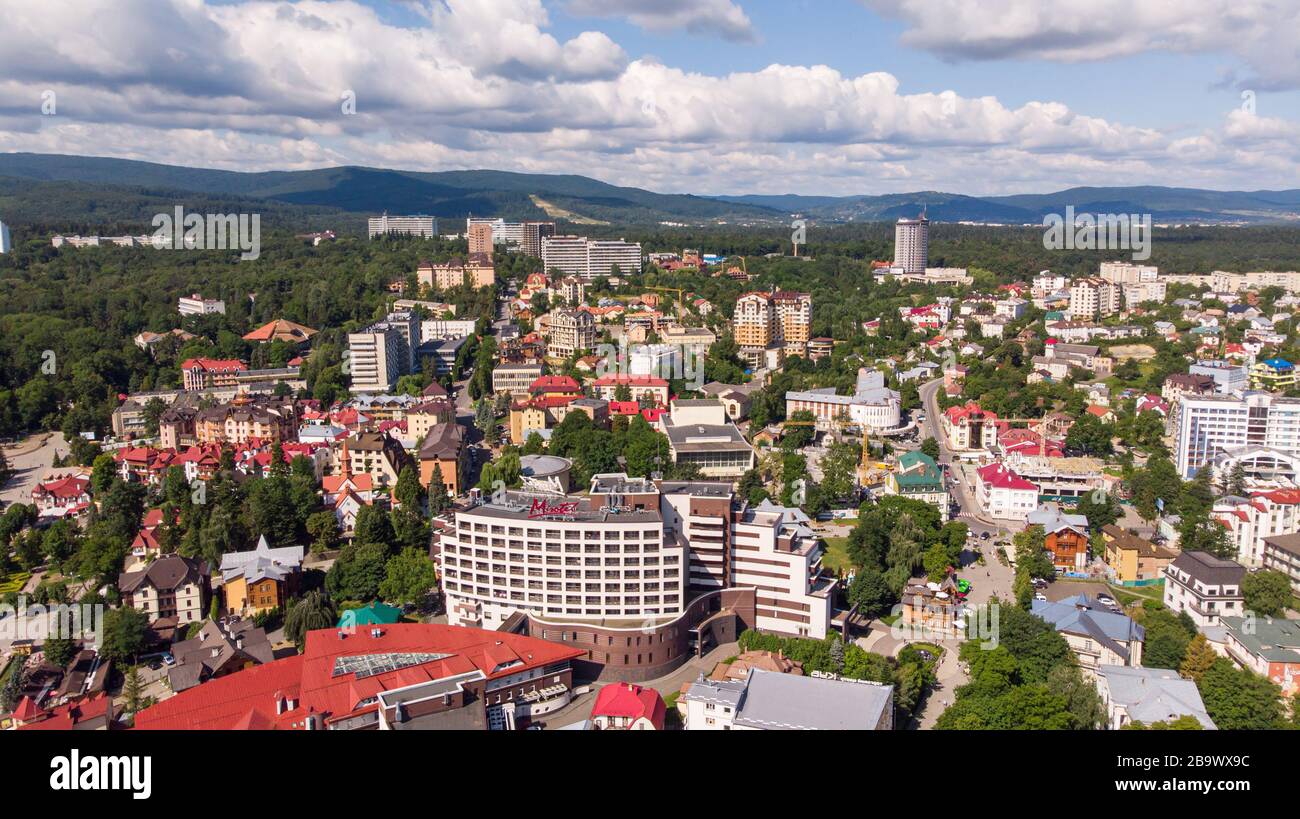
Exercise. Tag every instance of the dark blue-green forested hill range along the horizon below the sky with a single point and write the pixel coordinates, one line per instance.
(123, 189)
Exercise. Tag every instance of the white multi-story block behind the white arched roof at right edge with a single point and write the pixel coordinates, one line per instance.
(1210, 426)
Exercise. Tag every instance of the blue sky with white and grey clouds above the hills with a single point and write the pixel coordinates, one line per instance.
(705, 97)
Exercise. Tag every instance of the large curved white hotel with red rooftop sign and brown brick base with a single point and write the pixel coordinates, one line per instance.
(640, 575)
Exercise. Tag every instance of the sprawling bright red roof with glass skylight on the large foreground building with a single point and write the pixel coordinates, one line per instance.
(249, 697)
